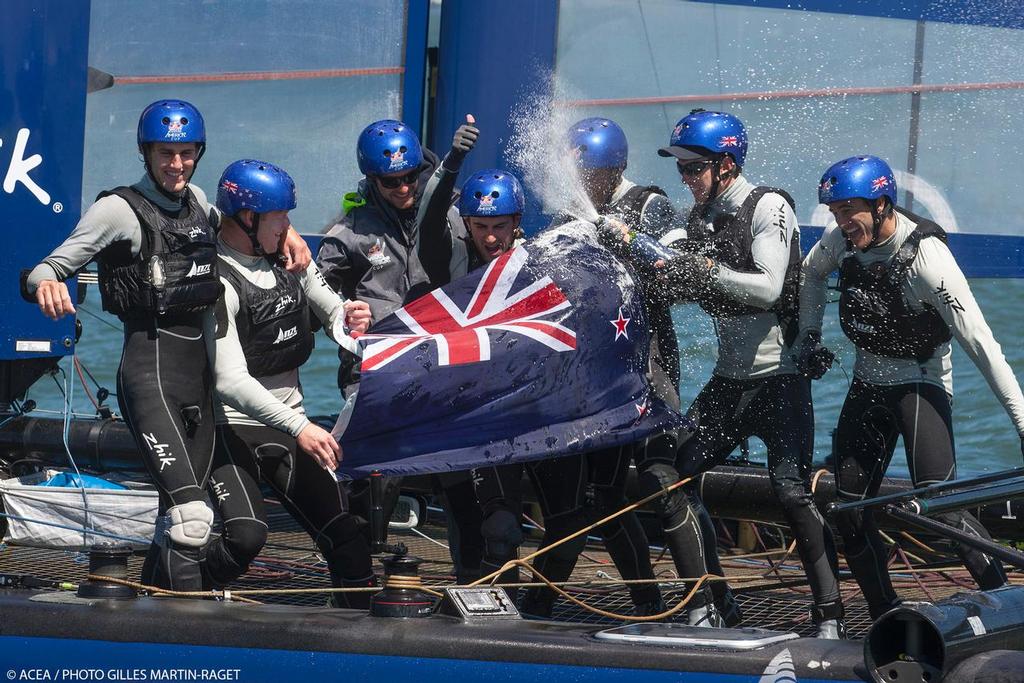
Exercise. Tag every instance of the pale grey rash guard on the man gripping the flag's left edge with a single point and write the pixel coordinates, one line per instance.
(275, 401)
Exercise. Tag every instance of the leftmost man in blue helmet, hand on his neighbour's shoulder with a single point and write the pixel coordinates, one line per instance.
(155, 244)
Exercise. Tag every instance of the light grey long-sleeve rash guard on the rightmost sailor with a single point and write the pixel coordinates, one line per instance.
(933, 279)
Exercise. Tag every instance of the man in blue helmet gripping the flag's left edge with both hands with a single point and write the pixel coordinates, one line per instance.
(261, 337)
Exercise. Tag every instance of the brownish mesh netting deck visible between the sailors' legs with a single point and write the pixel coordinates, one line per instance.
(291, 562)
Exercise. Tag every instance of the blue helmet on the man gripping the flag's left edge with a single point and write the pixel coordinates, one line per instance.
(259, 186)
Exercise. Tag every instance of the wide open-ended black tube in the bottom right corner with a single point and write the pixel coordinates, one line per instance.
(925, 642)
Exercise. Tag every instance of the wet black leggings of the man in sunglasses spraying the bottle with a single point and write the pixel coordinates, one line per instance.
(777, 410)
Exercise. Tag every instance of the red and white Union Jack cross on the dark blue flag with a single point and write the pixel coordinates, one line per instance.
(462, 335)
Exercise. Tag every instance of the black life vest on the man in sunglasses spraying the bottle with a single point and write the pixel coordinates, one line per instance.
(730, 243)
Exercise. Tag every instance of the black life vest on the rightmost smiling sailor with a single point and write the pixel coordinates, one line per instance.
(873, 310)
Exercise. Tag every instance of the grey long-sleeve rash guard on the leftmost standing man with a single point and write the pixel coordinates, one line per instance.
(108, 221)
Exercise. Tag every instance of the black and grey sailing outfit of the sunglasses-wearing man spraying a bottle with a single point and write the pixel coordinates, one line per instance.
(752, 235)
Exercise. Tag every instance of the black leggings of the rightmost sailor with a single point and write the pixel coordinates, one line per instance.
(874, 417)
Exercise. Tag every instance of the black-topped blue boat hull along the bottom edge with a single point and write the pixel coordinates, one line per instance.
(58, 637)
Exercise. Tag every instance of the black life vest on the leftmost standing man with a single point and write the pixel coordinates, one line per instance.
(180, 248)
